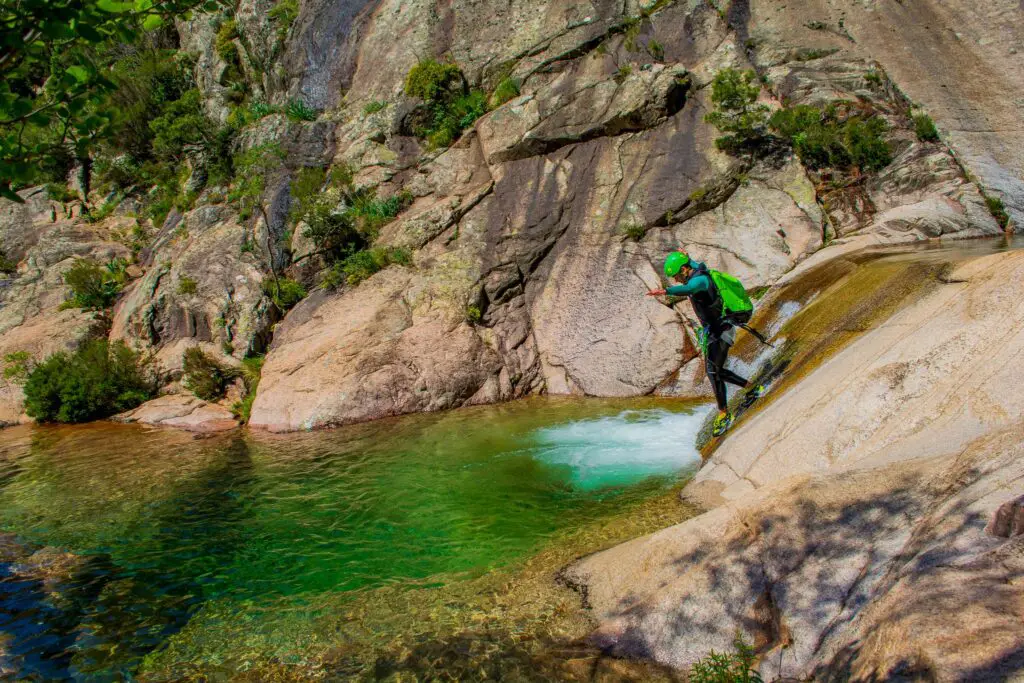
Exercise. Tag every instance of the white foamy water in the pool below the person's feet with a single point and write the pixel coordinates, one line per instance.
(623, 449)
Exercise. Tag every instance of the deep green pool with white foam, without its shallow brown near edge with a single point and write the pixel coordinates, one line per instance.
(165, 527)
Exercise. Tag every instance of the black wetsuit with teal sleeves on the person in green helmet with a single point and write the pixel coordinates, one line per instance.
(707, 305)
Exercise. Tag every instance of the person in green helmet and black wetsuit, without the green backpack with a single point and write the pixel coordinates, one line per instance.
(695, 281)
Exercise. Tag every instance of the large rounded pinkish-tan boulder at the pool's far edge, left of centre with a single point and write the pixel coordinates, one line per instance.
(370, 353)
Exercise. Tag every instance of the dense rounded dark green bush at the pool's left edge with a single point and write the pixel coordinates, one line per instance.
(97, 381)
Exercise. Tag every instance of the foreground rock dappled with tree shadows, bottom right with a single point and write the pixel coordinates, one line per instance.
(865, 575)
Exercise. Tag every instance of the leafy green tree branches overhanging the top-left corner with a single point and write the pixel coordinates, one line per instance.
(56, 63)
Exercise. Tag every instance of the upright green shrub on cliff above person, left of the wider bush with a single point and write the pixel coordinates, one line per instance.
(735, 95)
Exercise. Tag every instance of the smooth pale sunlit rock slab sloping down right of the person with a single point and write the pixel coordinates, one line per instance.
(929, 380)
